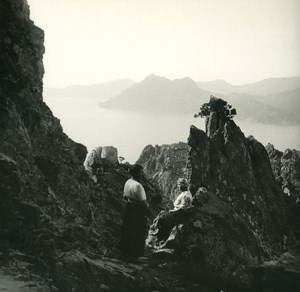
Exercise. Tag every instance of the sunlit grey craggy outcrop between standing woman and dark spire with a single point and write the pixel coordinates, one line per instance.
(164, 165)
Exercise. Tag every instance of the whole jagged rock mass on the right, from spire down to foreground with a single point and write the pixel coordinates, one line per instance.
(240, 216)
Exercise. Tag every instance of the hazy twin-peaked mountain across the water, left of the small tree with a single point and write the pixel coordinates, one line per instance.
(159, 94)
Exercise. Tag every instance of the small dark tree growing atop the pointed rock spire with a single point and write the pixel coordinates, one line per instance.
(224, 110)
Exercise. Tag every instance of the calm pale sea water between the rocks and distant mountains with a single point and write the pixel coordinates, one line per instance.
(86, 123)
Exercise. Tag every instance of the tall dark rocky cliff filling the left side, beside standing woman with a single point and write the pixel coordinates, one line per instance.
(49, 207)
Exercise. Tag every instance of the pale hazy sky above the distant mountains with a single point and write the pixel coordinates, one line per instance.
(95, 41)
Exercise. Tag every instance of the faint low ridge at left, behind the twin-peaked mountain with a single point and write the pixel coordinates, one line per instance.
(103, 91)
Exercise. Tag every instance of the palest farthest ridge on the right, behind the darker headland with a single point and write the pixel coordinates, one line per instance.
(264, 87)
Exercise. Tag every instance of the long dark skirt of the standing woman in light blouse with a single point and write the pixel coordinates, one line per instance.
(133, 233)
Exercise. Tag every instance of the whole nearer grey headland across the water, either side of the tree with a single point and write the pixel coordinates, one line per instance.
(159, 94)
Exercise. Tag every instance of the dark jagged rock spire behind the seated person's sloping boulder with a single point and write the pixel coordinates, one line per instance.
(238, 170)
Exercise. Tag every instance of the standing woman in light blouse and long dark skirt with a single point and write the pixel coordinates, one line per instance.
(133, 234)
